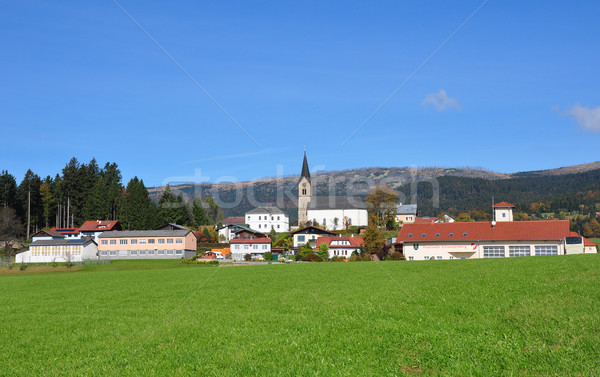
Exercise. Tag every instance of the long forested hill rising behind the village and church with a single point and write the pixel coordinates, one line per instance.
(459, 189)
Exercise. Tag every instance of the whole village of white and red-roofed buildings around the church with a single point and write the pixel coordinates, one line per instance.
(264, 234)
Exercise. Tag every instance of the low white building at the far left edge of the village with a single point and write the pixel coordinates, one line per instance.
(59, 250)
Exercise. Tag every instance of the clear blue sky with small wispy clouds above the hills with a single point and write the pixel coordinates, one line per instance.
(516, 88)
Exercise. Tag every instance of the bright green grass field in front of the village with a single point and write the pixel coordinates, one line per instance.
(533, 316)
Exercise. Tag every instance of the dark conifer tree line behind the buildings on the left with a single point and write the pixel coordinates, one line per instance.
(89, 192)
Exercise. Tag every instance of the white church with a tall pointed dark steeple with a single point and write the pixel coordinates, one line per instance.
(329, 212)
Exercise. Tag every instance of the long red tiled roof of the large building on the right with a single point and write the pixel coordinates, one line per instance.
(483, 230)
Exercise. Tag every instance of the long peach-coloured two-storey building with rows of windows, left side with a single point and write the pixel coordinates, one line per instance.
(147, 244)
